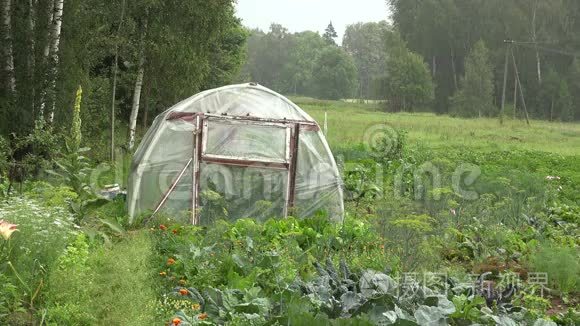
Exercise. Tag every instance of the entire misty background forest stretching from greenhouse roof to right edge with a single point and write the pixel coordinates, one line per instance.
(445, 56)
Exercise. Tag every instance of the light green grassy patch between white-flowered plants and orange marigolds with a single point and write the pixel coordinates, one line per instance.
(113, 286)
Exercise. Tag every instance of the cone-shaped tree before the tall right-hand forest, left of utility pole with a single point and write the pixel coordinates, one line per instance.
(475, 98)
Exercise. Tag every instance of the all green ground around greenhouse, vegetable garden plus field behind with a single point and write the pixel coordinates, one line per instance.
(76, 260)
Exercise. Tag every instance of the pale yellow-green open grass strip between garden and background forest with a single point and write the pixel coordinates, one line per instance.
(347, 123)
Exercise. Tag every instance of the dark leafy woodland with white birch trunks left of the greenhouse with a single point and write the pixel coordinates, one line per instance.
(132, 58)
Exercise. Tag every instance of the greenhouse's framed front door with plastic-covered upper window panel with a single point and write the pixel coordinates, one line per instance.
(243, 167)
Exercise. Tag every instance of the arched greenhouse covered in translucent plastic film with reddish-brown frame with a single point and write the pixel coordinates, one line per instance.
(240, 151)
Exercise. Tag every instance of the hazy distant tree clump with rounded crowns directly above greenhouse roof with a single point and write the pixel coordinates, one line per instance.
(305, 63)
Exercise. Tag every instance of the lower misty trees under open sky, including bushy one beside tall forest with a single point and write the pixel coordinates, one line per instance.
(372, 63)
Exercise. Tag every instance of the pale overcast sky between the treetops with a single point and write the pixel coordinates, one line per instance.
(300, 15)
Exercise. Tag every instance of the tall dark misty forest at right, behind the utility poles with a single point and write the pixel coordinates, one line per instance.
(463, 43)
